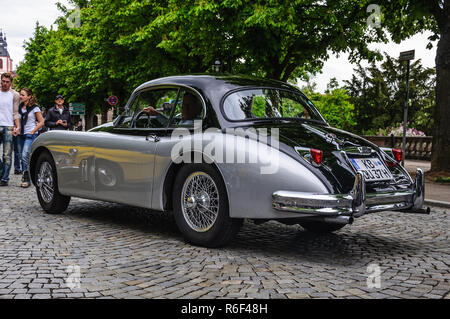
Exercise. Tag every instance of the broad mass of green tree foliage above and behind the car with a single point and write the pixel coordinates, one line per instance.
(122, 43)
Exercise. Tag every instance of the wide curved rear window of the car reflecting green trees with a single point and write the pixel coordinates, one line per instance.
(269, 103)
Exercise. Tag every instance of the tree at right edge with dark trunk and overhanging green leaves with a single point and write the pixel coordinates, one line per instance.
(404, 18)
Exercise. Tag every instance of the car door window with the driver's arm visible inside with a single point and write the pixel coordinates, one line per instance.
(152, 108)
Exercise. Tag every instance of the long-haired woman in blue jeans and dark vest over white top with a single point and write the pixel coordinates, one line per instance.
(30, 123)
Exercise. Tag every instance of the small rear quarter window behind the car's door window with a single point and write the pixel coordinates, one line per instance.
(188, 109)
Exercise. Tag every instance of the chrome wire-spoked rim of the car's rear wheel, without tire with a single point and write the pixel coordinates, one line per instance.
(200, 201)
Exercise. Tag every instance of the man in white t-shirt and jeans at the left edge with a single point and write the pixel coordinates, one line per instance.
(9, 124)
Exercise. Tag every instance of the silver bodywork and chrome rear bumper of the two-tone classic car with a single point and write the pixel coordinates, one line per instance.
(136, 170)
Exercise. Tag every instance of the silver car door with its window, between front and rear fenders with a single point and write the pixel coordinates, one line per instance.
(125, 158)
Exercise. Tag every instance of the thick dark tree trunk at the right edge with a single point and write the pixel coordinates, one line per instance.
(440, 155)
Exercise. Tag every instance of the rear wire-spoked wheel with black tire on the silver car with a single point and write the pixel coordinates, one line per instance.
(200, 205)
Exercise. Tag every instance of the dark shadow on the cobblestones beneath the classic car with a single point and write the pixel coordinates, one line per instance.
(347, 247)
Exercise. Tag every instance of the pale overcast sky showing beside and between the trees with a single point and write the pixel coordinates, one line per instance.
(19, 19)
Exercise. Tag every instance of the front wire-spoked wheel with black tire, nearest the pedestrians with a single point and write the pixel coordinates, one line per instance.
(51, 200)
